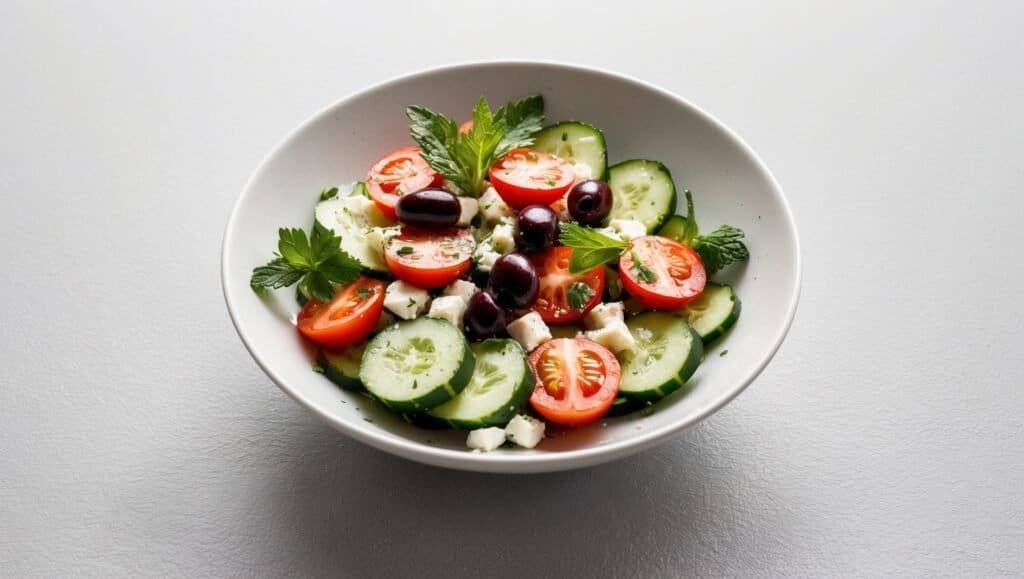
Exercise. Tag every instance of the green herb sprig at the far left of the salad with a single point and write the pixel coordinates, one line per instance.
(317, 264)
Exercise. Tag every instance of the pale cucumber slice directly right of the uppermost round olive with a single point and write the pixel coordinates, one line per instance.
(644, 191)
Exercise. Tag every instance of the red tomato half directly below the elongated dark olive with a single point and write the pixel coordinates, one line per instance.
(431, 259)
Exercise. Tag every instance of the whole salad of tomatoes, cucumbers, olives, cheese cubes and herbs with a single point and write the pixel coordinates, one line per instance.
(499, 277)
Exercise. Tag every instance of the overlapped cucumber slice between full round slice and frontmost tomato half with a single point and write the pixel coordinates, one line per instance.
(502, 382)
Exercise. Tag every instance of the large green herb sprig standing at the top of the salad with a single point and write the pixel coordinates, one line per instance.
(465, 158)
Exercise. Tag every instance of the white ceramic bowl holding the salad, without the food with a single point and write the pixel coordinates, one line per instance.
(339, 144)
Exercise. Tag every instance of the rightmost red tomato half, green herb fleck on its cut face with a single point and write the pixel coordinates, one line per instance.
(679, 271)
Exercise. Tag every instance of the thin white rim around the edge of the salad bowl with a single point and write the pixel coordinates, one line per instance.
(528, 462)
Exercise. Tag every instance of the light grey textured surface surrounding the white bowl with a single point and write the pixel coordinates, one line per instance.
(139, 439)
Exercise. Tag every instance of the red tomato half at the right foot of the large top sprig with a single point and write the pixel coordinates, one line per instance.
(524, 178)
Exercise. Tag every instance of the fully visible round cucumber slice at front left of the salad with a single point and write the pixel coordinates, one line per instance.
(417, 365)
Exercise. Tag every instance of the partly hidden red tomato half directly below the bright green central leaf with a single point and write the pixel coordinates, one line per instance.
(556, 280)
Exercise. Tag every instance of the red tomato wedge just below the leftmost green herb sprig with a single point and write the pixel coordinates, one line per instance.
(349, 318)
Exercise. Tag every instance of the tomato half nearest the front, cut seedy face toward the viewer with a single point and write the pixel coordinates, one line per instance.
(577, 381)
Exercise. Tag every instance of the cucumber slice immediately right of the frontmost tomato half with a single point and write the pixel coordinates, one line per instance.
(666, 355)
